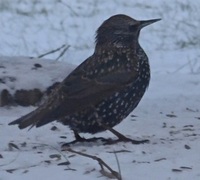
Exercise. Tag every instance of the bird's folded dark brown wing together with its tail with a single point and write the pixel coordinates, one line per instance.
(77, 92)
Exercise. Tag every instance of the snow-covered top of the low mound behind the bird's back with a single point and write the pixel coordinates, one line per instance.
(22, 73)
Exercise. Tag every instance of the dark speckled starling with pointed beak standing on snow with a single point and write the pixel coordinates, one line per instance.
(105, 88)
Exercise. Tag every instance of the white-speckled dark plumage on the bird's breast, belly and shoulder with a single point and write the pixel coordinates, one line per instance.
(114, 108)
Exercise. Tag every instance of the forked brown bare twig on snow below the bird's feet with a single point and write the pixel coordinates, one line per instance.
(101, 163)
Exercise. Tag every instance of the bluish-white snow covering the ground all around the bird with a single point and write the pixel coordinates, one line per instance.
(168, 115)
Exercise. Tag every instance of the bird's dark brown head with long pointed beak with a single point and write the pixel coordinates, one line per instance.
(120, 31)
